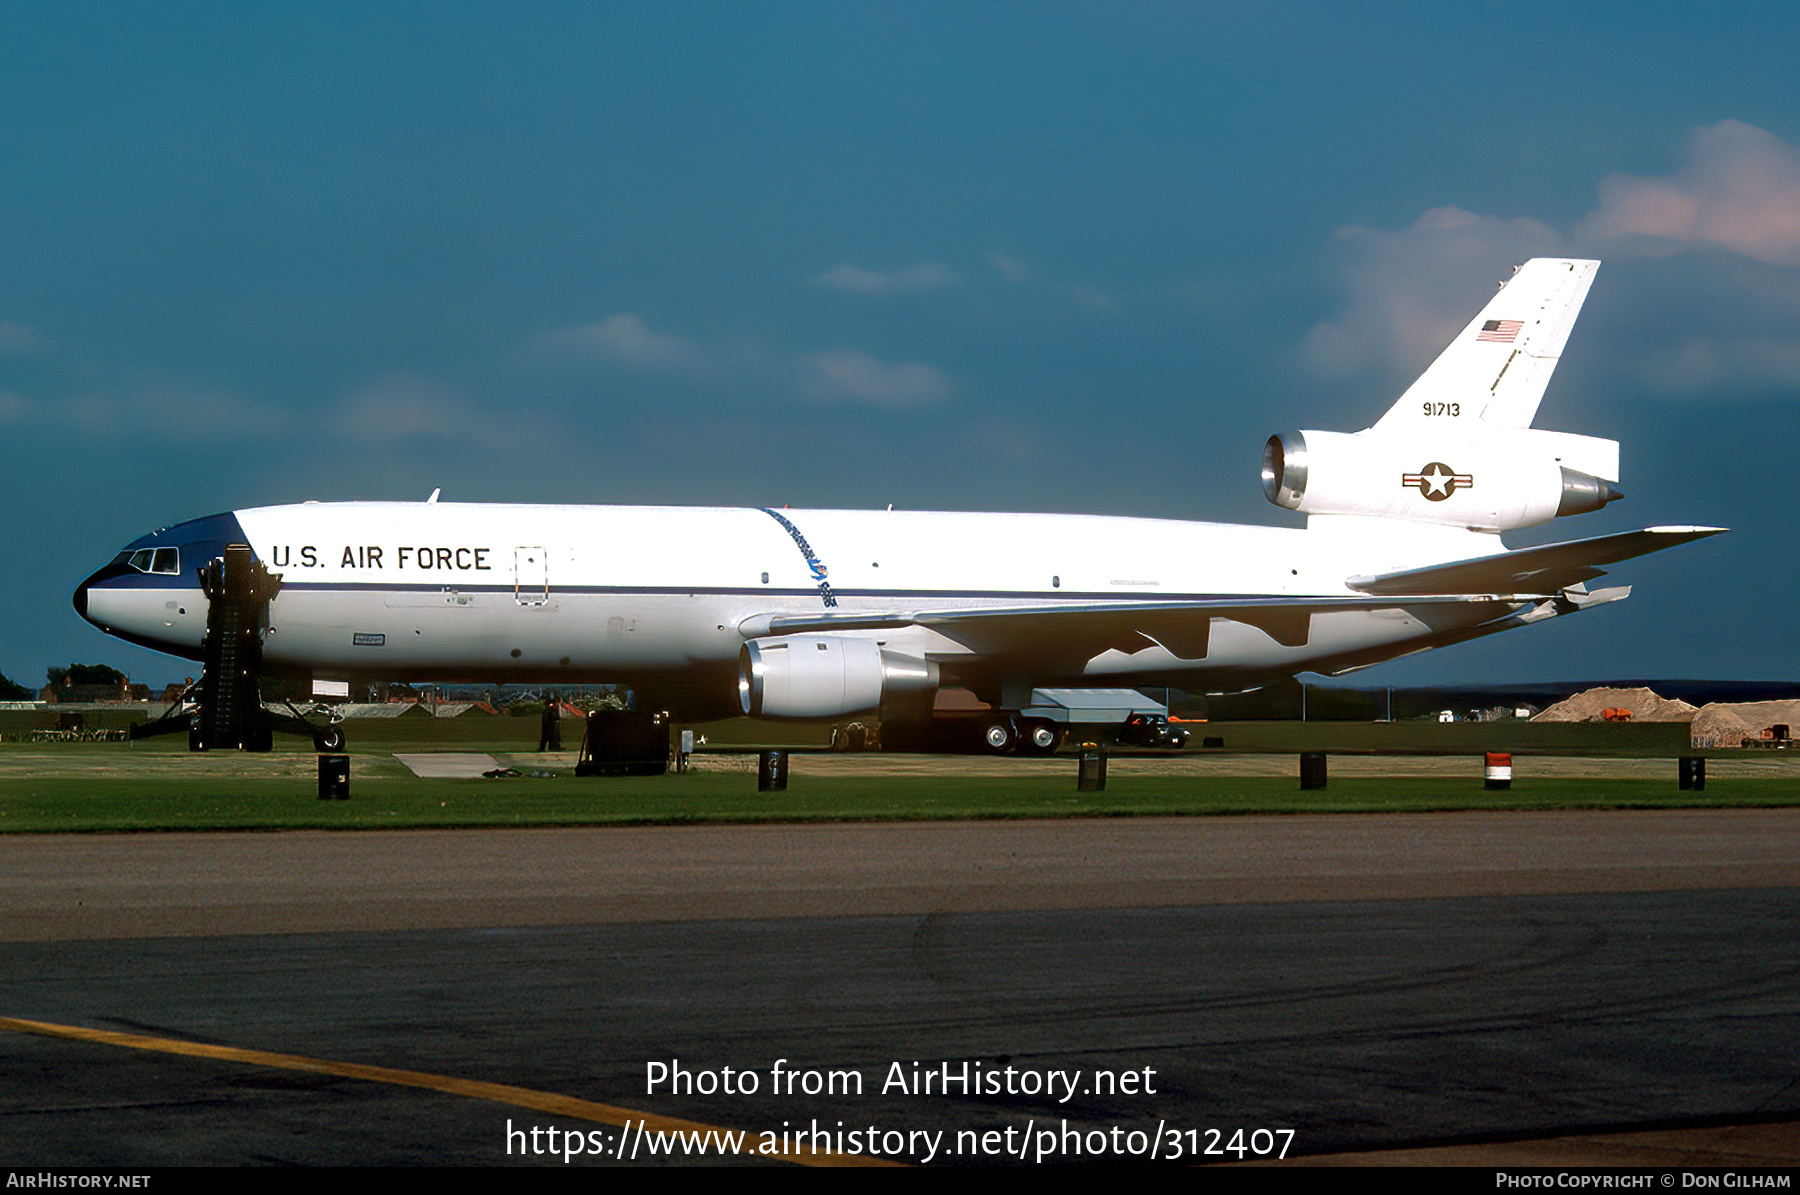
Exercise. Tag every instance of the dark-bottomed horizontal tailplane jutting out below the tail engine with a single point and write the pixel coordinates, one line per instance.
(1543, 570)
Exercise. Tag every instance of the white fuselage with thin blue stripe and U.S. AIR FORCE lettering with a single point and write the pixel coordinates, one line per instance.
(616, 593)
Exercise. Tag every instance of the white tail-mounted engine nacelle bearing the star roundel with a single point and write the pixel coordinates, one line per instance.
(1509, 478)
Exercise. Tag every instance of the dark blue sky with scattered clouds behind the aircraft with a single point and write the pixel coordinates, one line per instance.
(971, 256)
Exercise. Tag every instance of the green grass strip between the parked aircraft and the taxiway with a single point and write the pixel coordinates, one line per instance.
(107, 787)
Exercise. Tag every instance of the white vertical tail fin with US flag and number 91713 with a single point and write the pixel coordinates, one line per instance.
(1497, 368)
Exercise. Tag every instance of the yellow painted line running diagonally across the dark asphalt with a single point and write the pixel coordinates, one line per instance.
(476, 1090)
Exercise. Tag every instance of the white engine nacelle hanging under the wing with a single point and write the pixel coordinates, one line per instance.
(825, 676)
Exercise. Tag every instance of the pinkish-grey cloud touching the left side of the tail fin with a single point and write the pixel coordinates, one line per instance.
(1410, 289)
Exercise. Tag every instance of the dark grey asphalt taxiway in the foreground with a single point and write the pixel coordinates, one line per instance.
(1365, 982)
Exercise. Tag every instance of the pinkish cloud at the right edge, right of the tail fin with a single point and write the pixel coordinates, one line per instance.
(1740, 192)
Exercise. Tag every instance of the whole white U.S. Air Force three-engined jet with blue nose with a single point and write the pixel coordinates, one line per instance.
(814, 615)
